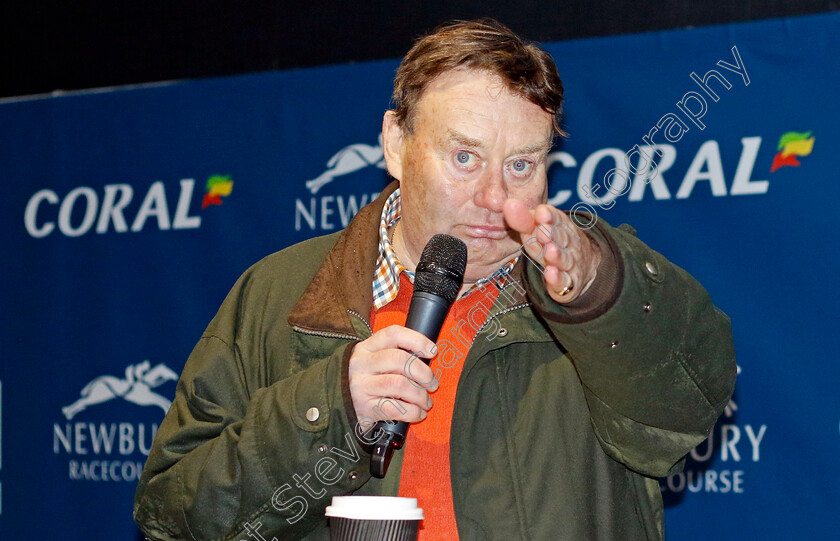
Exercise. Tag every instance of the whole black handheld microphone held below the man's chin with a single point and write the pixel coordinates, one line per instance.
(437, 280)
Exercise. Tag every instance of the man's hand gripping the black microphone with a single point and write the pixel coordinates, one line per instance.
(381, 373)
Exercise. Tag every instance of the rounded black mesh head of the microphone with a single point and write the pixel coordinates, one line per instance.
(441, 268)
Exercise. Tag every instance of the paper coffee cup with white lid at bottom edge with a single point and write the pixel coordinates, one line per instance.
(373, 518)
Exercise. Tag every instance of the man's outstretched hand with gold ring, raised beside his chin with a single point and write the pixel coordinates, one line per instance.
(569, 259)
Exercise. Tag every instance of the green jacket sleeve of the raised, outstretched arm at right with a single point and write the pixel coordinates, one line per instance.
(656, 359)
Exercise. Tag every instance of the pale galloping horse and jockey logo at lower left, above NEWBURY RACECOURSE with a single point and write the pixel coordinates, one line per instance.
(135, 388)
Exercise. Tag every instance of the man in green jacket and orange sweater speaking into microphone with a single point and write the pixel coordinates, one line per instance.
(569, 381)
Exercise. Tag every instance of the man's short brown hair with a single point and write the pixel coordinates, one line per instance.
(484, 45)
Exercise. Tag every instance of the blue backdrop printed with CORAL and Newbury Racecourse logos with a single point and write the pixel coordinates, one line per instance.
(130, 212)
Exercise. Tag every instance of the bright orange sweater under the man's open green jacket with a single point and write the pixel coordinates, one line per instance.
(425, 468)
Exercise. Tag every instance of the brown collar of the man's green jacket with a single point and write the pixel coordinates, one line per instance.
(344, 283)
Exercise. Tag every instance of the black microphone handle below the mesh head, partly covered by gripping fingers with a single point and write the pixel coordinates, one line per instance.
(426, 315)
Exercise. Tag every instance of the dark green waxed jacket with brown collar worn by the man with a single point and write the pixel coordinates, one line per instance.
(563, 419)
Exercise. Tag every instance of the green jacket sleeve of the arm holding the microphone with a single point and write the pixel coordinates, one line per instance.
(240, 445)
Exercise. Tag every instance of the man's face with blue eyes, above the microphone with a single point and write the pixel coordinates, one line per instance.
(474, 145)
